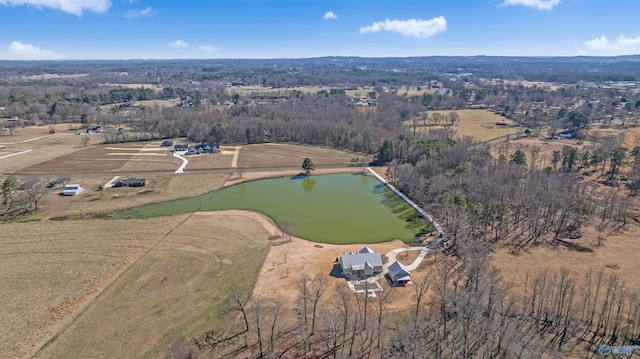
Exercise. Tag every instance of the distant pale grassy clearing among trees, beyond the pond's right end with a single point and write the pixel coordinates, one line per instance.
(475, 123)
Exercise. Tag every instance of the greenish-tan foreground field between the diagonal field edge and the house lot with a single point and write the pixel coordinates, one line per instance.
(175, 290)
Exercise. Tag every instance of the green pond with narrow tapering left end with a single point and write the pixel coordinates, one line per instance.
(338, 208)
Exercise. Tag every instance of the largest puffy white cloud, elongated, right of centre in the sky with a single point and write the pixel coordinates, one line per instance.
(412, 27)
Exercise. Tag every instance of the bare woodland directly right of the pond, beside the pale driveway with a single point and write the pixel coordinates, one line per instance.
(476, 195)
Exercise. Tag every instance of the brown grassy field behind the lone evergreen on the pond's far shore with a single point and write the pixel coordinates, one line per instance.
(289, 155)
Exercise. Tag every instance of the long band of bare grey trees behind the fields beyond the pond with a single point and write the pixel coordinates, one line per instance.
(318, 119)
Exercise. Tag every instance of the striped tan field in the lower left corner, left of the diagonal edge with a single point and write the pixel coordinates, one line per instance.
(50, 269)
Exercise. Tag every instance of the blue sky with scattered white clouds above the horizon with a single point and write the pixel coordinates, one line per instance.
(144, 29)
